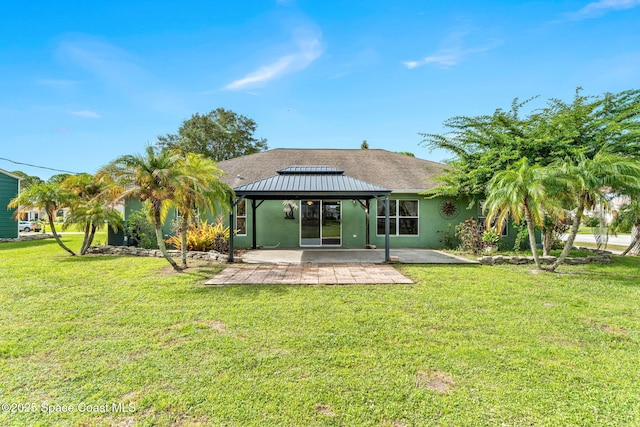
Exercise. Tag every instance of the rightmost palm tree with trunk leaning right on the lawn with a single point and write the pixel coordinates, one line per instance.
(588, 182)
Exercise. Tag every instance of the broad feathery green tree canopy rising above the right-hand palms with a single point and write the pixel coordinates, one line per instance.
(484, 145)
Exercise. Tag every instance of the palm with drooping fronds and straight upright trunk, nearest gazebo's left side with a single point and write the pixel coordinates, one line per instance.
(201, 188)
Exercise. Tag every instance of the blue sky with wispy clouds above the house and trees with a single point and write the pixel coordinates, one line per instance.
(82, 83)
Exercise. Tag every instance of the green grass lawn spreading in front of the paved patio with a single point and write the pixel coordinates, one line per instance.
(465, 346)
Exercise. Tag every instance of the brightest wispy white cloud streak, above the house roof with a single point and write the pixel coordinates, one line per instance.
(307, 47)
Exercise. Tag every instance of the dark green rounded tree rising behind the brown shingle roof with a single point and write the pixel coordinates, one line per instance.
(219, 135)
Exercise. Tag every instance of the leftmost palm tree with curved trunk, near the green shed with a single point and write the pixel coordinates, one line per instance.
(46, 196)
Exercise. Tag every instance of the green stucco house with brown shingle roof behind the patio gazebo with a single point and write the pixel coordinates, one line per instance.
(297, 198)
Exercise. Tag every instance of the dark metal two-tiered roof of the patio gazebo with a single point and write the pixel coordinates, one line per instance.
(295, 182)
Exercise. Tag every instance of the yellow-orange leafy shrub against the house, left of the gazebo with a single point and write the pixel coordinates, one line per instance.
(203, 236)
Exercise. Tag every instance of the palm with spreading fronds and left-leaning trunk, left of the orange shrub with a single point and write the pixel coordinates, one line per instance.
(153, 178)
